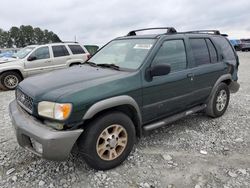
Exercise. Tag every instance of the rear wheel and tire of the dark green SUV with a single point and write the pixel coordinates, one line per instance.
(218, 103)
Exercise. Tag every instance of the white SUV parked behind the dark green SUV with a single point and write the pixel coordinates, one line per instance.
(37, 59)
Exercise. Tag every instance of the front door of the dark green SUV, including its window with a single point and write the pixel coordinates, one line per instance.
(168, 94)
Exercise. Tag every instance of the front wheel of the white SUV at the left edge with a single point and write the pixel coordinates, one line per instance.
(9, 80)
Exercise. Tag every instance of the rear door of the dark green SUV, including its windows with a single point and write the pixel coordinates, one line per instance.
(207, 67)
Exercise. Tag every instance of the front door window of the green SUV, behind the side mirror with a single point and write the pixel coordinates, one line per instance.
(173, 53)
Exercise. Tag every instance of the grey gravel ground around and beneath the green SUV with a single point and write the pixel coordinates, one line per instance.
(193, 152)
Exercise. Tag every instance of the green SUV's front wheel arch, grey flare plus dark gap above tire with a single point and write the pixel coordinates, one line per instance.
(124, 103)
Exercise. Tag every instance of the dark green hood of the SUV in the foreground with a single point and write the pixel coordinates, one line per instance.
(52, 85)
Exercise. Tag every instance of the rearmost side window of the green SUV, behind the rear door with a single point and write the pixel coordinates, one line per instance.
(228, 53)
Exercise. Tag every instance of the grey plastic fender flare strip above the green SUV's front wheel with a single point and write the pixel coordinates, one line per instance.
(113, 102)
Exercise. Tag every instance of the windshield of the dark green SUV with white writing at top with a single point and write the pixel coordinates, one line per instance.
(128, 53)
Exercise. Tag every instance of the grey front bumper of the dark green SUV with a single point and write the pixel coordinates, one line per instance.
(56, 145)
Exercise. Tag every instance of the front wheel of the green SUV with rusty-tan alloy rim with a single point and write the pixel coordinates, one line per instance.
(99, 146)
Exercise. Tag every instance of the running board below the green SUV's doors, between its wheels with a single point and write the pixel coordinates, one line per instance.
(173, 118)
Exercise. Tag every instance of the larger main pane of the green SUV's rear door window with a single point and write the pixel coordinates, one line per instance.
(200, 51)
